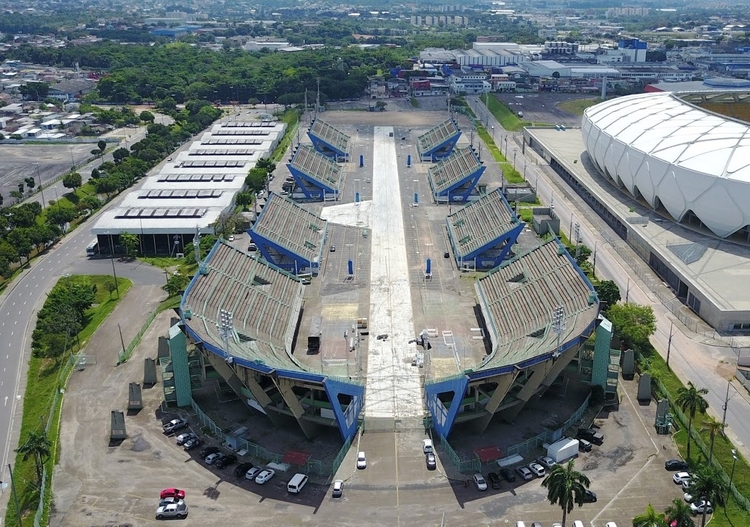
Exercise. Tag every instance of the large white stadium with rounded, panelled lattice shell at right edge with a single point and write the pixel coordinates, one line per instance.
(674, 155)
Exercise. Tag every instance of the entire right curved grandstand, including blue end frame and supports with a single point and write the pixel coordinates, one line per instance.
(537, 309)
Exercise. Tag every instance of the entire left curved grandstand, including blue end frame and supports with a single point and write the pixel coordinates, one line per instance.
(243, 314)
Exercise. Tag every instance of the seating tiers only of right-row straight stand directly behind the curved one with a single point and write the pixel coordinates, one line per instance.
(480, 223)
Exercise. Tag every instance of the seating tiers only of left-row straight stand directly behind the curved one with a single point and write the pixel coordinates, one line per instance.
(288, 225)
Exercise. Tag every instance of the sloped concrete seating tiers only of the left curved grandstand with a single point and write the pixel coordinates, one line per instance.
(264, 301)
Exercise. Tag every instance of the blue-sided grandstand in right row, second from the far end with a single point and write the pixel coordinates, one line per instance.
(455, 177)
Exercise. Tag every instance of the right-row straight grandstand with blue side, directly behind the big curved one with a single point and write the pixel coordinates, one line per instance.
(484, 231)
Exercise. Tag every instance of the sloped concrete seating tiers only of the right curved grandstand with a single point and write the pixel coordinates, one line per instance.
(519, 298)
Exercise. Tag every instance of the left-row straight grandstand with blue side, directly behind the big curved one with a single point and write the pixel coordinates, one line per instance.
(289, 236)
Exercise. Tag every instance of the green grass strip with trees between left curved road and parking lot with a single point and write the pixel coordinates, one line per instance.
(45, 380)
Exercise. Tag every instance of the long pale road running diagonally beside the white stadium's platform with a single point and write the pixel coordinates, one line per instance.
(692, 357)
